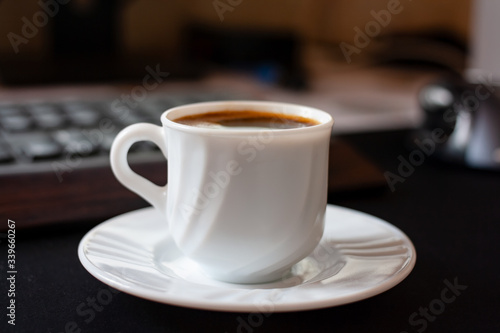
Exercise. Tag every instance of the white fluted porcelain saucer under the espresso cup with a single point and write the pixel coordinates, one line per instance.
(358, 257)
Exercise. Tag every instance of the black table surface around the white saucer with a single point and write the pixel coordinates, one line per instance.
(452, 215)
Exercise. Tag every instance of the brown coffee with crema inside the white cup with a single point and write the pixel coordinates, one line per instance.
(246, 119)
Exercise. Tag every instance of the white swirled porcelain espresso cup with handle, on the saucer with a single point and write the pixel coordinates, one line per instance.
(244, 203)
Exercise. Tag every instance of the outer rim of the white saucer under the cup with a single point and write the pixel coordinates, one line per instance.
(231, 306)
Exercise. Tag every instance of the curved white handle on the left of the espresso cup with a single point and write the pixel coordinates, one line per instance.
(154, 194)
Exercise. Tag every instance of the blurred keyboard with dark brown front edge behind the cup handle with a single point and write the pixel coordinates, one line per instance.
(54, 156)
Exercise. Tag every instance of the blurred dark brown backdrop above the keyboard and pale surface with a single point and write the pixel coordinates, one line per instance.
(93, 40)
